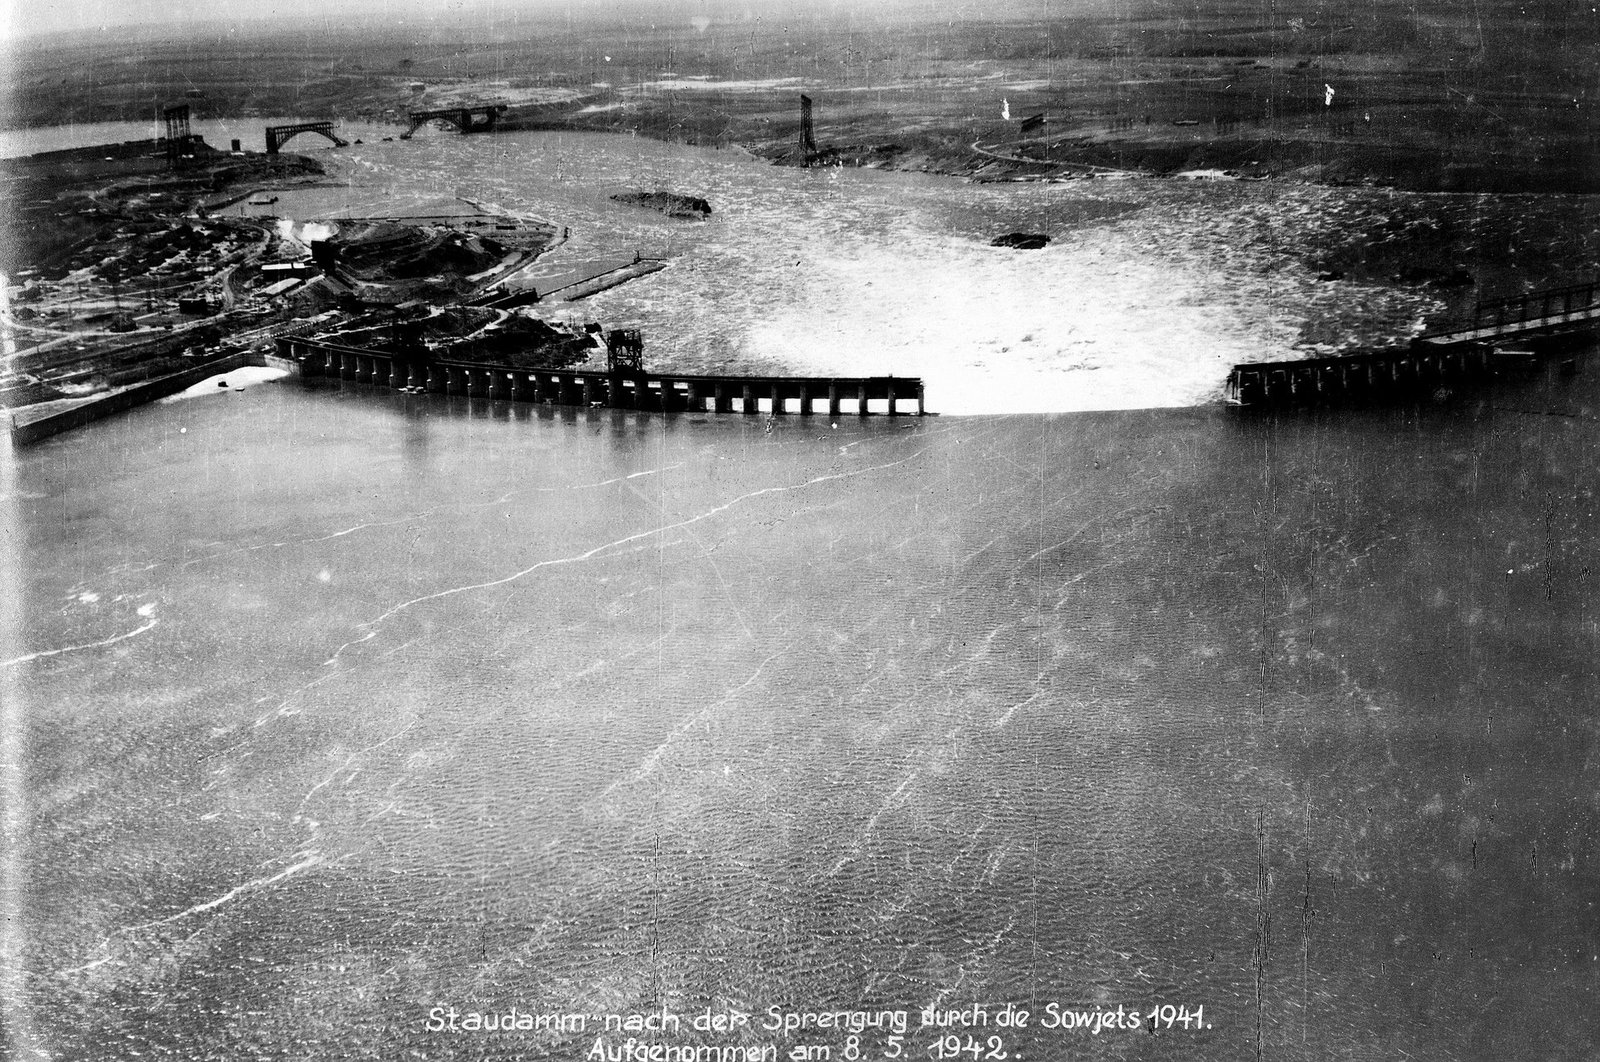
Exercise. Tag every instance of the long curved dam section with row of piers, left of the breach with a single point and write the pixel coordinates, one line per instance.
(634, 389)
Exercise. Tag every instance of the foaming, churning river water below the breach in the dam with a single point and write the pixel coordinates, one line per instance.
(1148, 293)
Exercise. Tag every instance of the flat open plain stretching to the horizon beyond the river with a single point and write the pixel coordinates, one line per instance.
(1426, 95)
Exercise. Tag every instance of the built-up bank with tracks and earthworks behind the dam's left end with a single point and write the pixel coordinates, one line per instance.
(126, 266)
